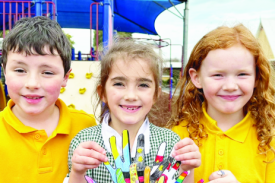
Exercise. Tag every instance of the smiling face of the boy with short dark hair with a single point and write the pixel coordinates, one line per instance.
(34, 82)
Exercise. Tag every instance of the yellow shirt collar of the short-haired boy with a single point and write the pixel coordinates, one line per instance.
(63, 127)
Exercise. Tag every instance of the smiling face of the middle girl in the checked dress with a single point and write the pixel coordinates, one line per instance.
(129, 92)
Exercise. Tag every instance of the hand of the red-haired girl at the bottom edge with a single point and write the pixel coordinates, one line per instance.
(222, 176)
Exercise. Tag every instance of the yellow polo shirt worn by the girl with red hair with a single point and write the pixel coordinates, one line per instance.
(235, 150)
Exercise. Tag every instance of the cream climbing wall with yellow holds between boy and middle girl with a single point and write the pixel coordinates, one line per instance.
(80, 90)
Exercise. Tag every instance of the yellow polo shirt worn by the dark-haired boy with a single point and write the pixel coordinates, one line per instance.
(29, 155)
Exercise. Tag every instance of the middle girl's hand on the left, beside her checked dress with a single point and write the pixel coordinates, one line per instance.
(88, 155)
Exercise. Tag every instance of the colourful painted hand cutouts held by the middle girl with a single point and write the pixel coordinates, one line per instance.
(125, 171)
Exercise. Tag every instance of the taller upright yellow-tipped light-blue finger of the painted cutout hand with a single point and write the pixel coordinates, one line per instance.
(126, 149)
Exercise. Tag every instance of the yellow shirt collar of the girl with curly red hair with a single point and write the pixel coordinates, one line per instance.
(238, 132)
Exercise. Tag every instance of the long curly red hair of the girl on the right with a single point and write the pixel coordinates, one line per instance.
(188, 105)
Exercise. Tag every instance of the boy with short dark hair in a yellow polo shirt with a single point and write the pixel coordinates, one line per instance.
(36, 127)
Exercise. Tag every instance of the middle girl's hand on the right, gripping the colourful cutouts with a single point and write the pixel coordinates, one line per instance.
(188, 153)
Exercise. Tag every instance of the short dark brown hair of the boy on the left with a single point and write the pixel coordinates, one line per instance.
(32, 35)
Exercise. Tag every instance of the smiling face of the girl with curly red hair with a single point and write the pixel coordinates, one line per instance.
(227, 77)
